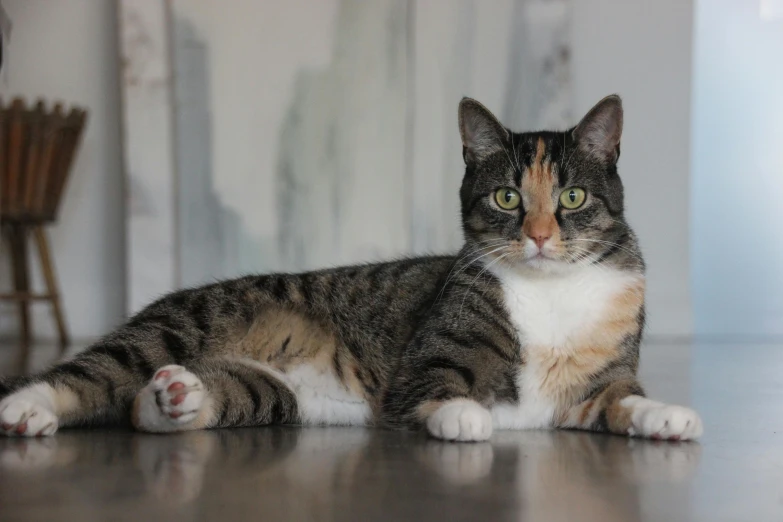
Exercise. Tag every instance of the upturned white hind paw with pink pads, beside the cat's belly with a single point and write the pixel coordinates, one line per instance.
(172, 399)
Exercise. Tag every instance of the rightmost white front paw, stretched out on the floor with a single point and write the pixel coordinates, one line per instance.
(662, 421)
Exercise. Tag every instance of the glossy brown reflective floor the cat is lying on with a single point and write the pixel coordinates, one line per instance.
(735, 473)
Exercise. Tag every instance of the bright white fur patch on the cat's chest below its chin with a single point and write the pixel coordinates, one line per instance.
(554, 311)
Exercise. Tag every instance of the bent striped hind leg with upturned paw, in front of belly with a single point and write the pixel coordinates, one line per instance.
(213, 393)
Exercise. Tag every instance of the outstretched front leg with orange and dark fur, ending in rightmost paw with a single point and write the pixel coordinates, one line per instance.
(621, 408)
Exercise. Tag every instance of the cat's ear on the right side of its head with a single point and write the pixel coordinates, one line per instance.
(599, 132)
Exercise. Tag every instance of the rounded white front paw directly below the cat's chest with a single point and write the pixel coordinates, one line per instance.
(462, 420)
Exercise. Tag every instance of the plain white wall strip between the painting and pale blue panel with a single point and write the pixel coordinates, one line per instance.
(641, 49)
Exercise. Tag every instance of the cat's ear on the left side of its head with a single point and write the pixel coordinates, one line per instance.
(482, 133)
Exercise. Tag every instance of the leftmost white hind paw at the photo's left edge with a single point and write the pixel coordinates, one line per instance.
(28, 412)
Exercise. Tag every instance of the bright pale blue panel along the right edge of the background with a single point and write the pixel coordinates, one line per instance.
(737, 170)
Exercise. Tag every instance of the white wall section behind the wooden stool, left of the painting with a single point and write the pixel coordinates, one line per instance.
(66, 50)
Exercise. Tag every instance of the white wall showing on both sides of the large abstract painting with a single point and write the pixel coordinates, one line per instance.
(640, 49)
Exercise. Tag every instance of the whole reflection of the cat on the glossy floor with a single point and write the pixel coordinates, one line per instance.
(336, 473)
